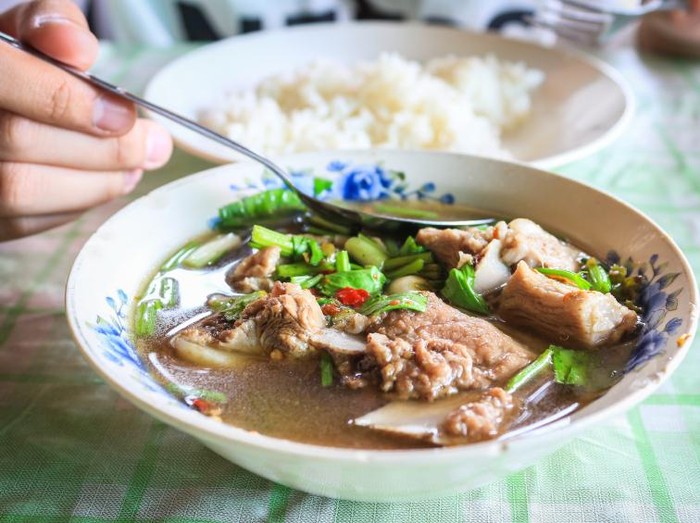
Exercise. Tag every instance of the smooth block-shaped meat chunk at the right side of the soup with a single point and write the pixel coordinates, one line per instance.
(563, 312)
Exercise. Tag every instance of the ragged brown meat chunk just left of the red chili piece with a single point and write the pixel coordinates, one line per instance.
(282, 322)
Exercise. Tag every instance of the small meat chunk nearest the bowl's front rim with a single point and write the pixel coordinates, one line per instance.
(480, 419)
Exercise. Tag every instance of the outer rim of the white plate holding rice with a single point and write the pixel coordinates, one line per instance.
(557, 48)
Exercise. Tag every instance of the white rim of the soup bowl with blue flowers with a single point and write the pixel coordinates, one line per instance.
(198, 425)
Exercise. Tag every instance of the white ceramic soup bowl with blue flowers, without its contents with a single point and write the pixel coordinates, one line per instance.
(118, 258)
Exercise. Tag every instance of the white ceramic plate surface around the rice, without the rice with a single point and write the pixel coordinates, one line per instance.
(581, 107)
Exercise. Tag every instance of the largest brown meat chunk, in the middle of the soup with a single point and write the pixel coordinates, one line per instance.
(441, 351)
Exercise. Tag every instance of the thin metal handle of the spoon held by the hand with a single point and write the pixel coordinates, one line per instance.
(157, 109)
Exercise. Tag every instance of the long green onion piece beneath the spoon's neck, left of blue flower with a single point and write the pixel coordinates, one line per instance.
(273, 202)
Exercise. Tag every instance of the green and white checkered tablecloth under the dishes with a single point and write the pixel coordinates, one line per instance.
(72, 450)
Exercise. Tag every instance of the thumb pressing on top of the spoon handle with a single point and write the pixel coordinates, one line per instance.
(55, 27)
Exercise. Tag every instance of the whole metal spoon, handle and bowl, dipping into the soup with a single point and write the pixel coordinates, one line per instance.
(328, 210)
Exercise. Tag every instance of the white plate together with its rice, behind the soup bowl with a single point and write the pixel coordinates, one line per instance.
(394, 86)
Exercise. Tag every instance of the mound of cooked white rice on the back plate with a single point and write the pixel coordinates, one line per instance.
(449, 103)
